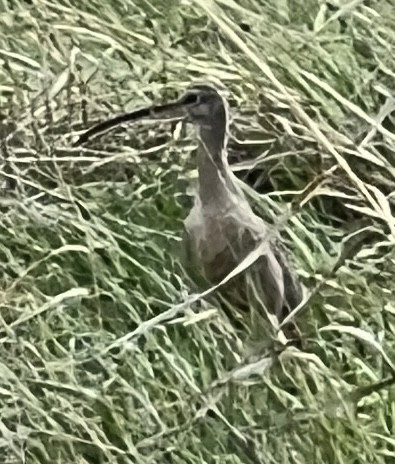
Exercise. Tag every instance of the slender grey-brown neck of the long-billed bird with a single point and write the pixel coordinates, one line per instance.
(215, 179)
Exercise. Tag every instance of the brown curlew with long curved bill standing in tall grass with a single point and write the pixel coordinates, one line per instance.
(221, 229)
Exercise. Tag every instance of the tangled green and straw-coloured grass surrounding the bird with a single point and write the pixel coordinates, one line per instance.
(102, 359)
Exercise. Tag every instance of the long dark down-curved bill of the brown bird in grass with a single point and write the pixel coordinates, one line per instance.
(168, 112)
